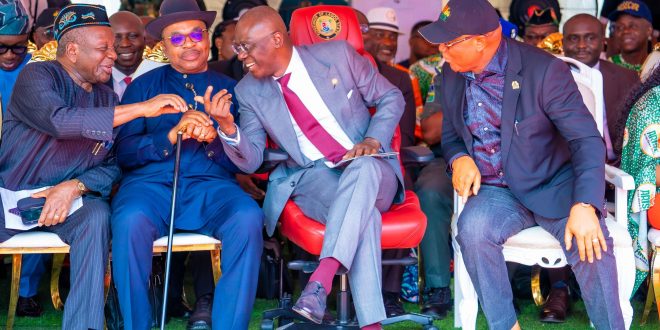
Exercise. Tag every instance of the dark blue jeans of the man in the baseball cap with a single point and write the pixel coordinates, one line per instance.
(493, 216)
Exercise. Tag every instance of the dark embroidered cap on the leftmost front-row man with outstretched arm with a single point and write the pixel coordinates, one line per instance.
(79, 15)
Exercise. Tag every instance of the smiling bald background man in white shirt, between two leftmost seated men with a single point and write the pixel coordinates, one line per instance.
(129, 45)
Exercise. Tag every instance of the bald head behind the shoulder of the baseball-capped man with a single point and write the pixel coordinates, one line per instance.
(583, 38)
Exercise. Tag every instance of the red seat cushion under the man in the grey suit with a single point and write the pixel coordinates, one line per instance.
(403, 226)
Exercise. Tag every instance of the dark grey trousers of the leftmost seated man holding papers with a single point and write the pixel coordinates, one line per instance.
(87, 231)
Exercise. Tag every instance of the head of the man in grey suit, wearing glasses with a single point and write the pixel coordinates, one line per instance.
(263, 41)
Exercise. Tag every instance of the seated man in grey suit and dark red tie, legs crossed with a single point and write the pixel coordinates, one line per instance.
(312, 102)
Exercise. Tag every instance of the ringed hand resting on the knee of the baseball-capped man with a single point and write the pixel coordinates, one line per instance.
(584, 225)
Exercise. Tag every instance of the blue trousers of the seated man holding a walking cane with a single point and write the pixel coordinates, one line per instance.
(140, 216)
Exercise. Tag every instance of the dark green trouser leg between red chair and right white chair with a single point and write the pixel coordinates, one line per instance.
(435, 192)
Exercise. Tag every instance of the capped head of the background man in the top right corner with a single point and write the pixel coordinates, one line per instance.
(632, 32)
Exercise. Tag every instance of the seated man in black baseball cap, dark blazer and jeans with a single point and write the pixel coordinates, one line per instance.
(522, 150)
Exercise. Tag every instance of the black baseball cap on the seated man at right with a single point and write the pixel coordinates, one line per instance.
(461, 17)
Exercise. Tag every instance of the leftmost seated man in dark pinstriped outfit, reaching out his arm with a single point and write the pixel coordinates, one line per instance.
(56, 144)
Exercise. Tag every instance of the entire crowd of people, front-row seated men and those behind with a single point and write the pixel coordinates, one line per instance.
(506, 124)
